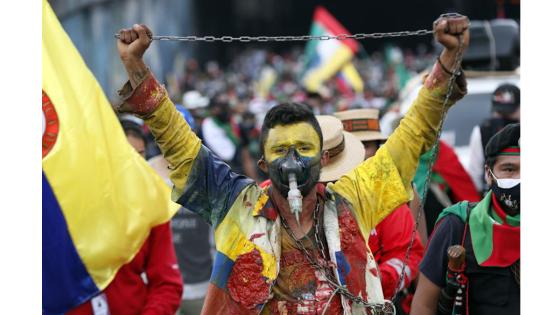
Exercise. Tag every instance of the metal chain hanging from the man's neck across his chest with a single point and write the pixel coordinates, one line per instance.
(378, 308)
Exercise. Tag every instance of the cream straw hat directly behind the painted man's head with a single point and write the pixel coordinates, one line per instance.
(345, 150)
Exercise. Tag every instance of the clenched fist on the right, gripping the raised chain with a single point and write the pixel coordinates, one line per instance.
(447, 28)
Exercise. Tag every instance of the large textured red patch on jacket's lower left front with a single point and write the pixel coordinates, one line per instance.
(246, 284)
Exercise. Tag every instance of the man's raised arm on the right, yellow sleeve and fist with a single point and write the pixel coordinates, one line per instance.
(383, 182)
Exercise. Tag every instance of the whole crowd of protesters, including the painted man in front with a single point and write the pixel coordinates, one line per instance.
(297, 203)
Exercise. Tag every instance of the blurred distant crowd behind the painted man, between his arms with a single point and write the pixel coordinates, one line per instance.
(226, 105)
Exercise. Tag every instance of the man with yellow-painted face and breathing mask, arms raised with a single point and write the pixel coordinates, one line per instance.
(329, 226)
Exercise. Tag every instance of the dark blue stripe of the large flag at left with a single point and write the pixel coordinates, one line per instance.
(66, 282)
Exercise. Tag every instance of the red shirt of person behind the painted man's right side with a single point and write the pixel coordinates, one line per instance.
(388, 243)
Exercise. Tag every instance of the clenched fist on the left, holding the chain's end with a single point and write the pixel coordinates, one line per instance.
(133, 42)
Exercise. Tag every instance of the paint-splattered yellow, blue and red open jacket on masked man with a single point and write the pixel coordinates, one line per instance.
(247, 228)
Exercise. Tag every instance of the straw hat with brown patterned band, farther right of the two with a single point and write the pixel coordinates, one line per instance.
(363, 123)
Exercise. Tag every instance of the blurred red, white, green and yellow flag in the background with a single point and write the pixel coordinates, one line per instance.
(327, 58)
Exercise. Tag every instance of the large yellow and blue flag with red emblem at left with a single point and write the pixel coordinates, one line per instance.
(100, 198)
